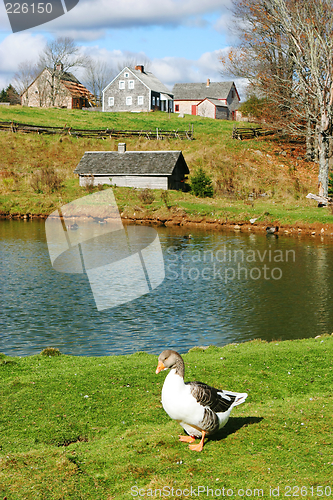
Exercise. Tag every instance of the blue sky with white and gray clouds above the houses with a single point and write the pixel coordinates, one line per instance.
(181, 40)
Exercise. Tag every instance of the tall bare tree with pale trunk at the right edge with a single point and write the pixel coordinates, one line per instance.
(292, 42)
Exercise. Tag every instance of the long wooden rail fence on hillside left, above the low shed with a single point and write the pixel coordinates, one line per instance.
(98, 133)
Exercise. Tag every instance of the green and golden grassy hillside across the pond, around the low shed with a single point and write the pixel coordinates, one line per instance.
(269, 169)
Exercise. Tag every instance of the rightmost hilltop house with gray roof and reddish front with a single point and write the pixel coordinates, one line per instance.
(211, 99)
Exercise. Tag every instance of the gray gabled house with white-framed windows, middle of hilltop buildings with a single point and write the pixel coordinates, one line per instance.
(137, 90)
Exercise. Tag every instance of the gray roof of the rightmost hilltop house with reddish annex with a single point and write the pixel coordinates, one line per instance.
(217, 90)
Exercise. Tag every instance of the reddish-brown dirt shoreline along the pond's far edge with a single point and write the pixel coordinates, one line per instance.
(313, 229)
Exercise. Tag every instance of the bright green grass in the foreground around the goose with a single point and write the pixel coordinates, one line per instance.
(93, 428)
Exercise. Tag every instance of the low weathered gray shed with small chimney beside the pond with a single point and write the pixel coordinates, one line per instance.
(140, 169)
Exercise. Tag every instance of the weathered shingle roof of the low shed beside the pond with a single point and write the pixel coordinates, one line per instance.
(130, 163)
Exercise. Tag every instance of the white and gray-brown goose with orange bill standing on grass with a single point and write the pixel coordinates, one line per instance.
(199, 408)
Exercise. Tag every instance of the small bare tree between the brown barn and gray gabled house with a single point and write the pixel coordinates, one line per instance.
(96, 77)
